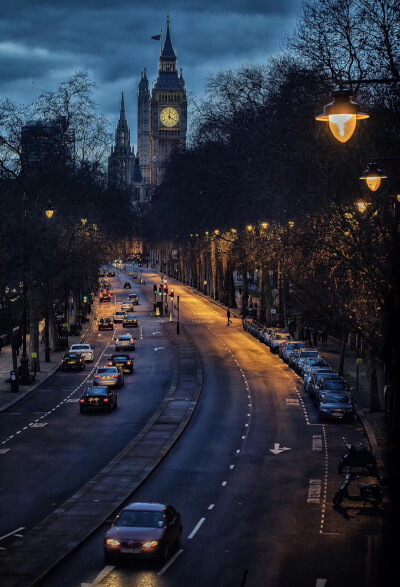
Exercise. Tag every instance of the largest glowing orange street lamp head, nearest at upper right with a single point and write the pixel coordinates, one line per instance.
(342, 115)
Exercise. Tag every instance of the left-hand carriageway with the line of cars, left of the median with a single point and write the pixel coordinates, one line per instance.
(53, 450)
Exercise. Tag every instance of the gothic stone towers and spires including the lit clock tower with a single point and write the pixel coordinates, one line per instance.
(162, 127)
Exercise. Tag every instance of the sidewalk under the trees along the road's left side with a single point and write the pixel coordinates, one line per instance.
(7, 397)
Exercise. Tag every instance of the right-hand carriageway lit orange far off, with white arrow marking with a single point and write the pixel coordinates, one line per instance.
(253, 476)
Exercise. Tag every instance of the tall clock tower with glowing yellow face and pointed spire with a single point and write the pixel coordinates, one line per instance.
(168, 112)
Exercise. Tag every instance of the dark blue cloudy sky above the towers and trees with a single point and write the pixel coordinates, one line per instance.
(43, 42)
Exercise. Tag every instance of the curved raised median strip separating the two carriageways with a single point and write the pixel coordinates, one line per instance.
(44, 546)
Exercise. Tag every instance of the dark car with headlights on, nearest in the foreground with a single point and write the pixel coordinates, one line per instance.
(143, 530)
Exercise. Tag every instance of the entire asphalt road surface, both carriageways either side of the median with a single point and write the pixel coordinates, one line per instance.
(253, 474)
